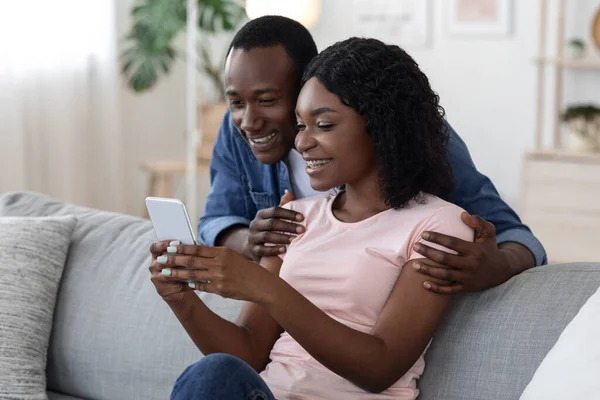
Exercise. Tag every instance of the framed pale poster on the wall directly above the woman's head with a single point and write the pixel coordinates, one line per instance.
(400, 22)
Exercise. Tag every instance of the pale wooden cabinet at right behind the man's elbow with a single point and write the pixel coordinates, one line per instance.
(561, 203)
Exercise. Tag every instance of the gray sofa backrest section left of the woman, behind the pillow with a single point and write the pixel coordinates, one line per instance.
(114, 337)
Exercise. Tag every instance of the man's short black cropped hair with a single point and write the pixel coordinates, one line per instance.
(273, 30)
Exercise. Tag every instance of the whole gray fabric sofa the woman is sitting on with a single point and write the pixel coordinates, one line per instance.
(113, 337)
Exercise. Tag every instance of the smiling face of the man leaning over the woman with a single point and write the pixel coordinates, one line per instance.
(260, 85)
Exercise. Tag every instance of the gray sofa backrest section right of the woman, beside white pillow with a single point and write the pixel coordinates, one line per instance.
(492, 342)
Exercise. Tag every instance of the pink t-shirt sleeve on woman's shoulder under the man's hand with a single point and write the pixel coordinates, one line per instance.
(447, 221)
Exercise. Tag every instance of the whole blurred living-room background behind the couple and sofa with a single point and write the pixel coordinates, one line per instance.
(93, 95)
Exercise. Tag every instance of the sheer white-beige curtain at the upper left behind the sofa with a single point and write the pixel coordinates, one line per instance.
(59, 111)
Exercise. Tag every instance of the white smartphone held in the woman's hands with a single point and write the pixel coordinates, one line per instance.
(170, 220)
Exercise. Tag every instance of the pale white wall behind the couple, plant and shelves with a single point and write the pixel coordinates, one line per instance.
(487, 87)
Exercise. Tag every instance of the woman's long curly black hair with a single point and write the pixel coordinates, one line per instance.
(402, 114)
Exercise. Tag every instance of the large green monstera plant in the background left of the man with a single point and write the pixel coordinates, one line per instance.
(150, 47)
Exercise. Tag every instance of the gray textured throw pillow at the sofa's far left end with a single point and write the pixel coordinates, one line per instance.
(32, 256)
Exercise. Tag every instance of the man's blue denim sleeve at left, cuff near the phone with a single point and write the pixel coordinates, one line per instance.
(226, 201)
